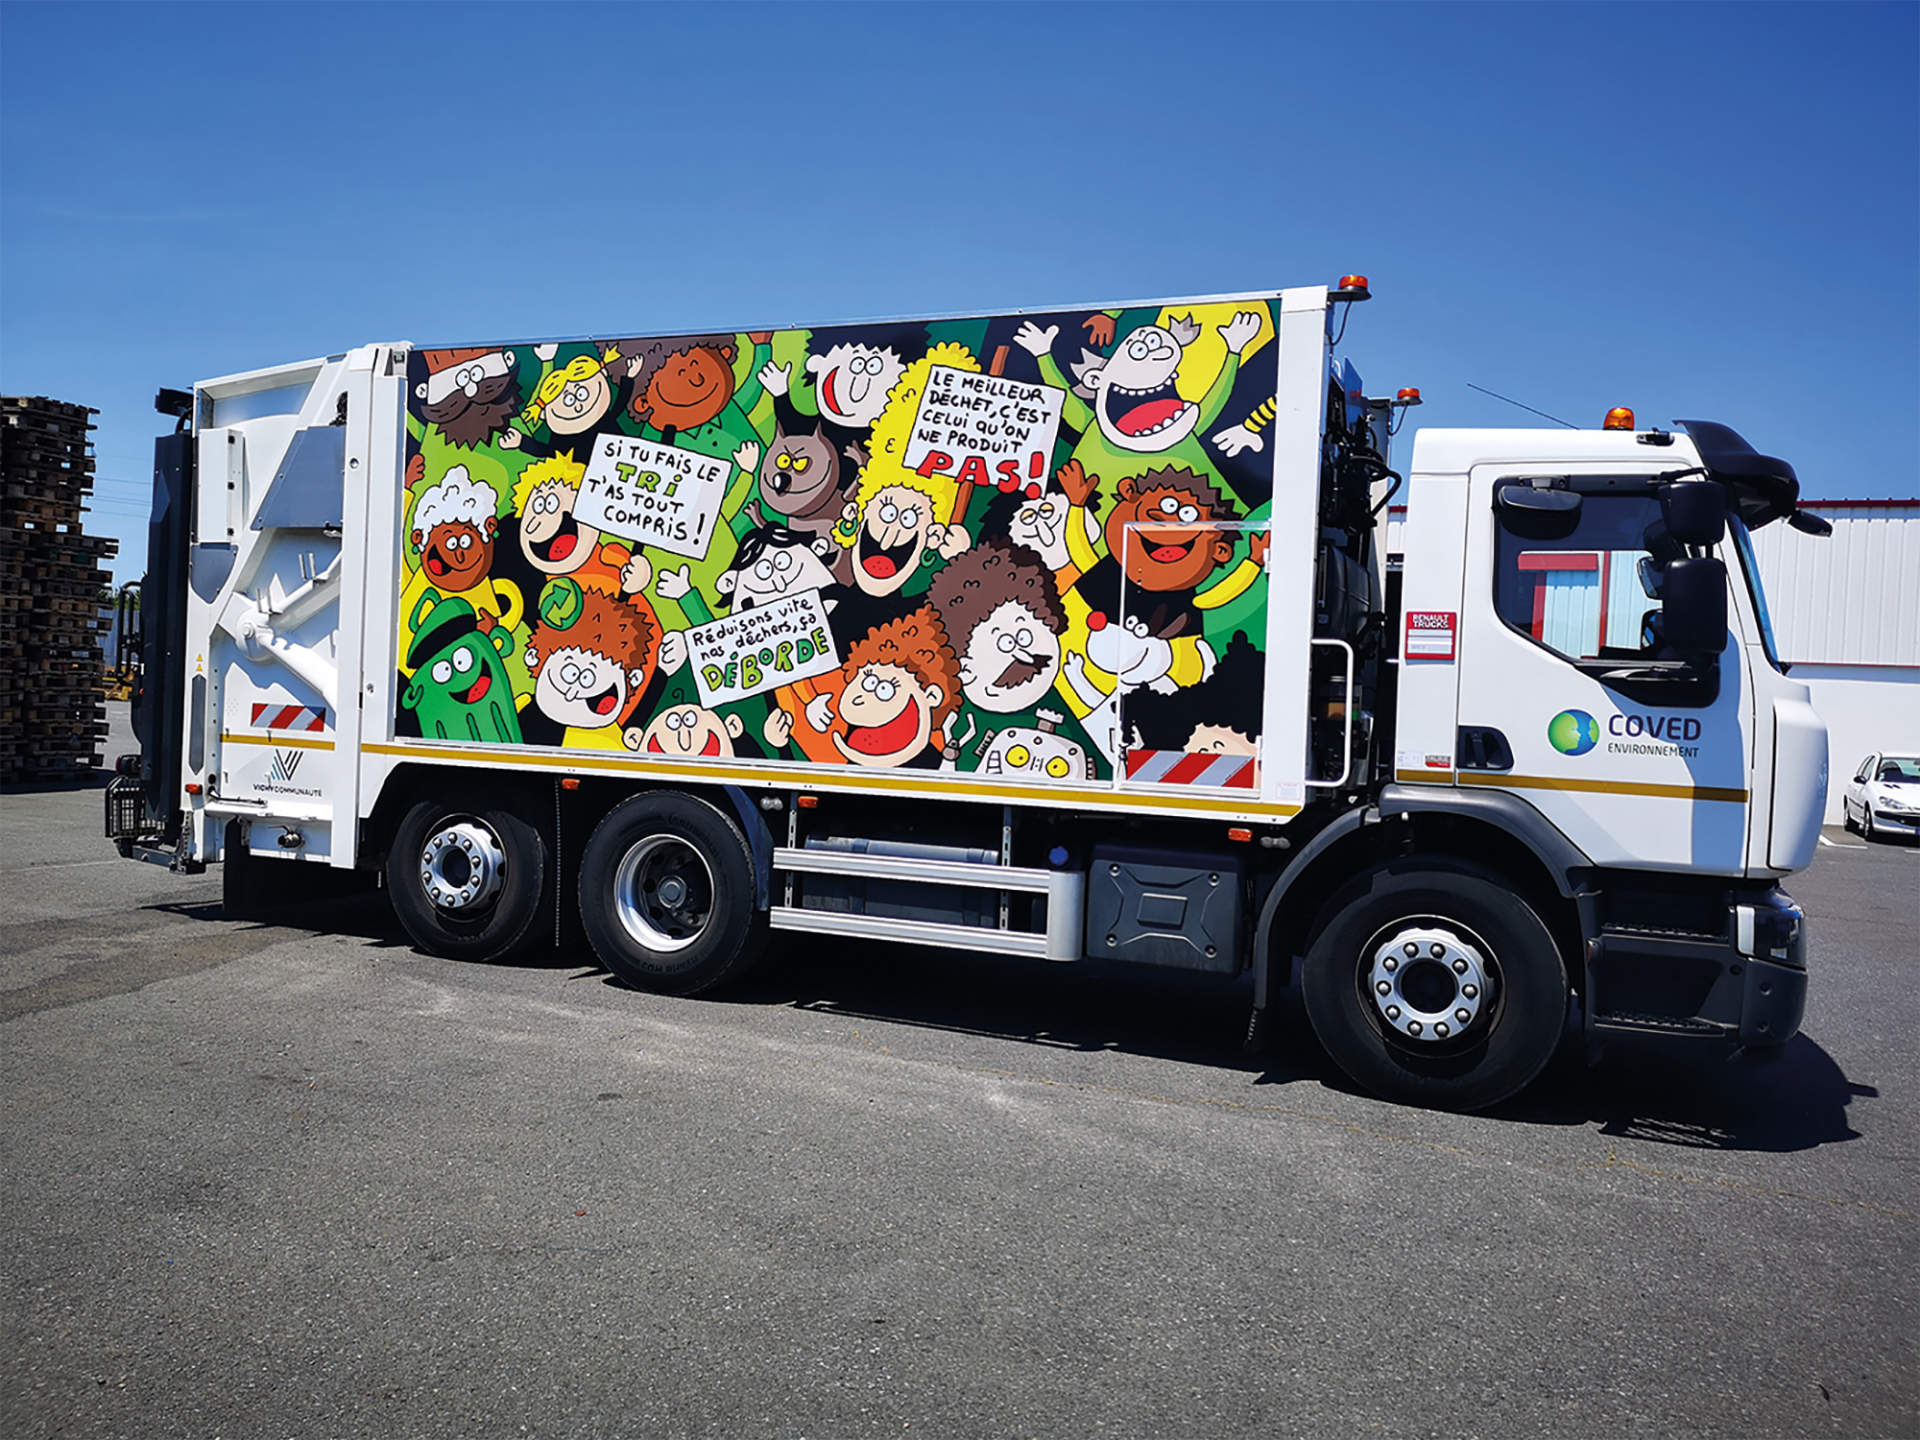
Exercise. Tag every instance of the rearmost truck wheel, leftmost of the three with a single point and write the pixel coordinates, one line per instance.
(468, 880)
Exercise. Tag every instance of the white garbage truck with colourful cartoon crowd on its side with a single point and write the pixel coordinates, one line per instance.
(1063, 635)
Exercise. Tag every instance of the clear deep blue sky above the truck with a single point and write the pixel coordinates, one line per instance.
(1694, 210)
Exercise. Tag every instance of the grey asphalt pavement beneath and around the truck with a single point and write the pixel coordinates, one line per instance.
(297, 1180)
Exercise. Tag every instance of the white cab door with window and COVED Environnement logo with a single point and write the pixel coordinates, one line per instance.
(1566, 692)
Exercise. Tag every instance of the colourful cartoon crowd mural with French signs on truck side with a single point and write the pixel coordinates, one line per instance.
(905, 544)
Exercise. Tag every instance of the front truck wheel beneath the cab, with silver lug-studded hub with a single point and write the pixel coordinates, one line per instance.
(1435, 986)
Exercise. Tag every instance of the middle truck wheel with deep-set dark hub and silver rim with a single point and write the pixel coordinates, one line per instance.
(667, 896)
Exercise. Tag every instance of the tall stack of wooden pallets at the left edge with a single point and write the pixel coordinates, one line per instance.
(53, 711)
